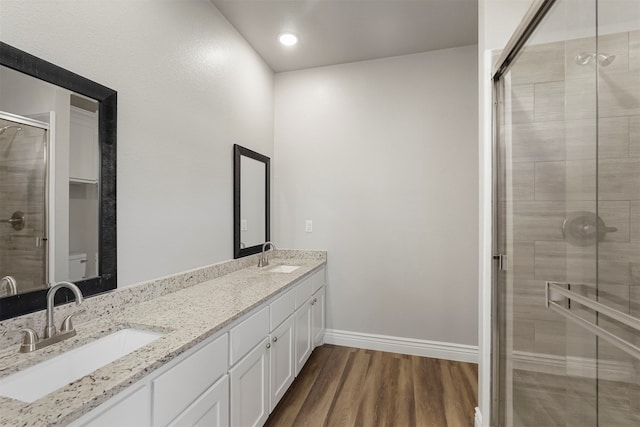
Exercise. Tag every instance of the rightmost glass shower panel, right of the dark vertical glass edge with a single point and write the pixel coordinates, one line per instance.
(618, 188)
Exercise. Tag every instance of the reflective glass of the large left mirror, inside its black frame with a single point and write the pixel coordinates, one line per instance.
(49, 184)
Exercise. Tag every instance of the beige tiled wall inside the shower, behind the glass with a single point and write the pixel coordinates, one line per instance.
(556, 159)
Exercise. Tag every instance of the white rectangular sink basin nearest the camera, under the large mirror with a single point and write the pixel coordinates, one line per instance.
(39, 380)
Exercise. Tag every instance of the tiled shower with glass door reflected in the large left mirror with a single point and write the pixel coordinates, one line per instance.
(23, 184)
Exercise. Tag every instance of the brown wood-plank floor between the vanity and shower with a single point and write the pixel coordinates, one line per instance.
(343, 386)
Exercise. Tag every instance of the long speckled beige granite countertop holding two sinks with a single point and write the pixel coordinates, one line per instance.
(187, 317)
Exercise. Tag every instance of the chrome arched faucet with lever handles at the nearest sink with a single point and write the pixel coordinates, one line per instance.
(31, 341)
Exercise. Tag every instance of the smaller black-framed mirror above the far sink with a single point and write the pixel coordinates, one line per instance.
(251, 195)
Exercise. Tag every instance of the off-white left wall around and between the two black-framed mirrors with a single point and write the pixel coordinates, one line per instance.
(188, 88)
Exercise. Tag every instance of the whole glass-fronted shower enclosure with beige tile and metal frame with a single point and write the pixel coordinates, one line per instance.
(566, 344)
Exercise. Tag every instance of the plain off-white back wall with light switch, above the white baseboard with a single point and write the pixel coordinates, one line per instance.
(382, 156)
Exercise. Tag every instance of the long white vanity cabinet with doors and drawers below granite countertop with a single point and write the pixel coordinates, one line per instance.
(233, 379)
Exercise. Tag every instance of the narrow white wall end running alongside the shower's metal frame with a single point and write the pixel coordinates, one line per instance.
(497, 20)
